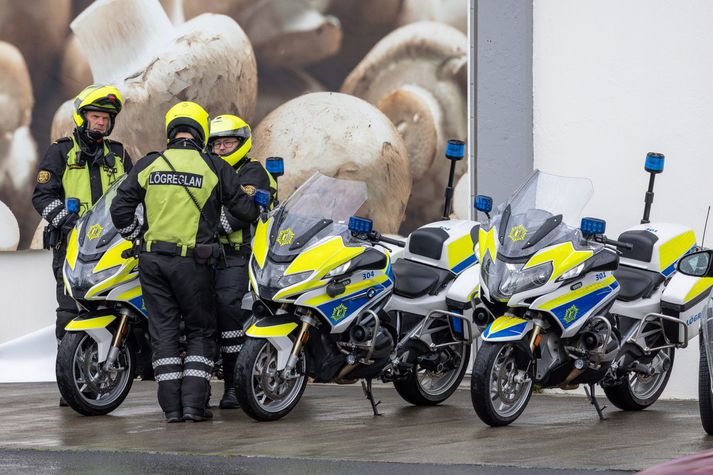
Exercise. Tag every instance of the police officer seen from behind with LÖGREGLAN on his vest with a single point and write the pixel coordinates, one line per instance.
(182, 190)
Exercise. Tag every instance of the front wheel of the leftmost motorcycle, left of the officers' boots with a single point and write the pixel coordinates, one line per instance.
(83, 382)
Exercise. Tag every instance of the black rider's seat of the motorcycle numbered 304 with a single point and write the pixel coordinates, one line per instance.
(414, 279)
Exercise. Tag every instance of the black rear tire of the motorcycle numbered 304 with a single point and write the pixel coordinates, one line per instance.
(412, 388)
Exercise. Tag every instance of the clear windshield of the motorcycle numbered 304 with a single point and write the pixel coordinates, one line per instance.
(320, 207)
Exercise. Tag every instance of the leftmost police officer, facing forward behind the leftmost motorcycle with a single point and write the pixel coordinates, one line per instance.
(81, 166)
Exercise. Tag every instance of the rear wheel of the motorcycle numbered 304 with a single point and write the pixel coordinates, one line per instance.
(428, 387)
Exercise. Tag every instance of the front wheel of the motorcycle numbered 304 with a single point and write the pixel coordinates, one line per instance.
(264, 393)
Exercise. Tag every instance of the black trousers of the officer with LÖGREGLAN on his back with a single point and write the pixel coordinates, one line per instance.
(177, 287)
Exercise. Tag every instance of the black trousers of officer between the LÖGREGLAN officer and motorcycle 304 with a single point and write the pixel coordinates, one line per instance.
(231, 284)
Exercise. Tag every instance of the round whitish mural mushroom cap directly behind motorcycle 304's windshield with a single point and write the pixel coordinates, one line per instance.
(343, 137)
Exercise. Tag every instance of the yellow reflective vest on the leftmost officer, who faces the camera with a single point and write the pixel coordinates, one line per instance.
(76, 181)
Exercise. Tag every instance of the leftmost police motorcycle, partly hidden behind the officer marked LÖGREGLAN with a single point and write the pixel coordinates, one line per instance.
(97, 358)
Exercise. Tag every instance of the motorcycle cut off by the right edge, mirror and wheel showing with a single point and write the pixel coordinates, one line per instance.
(698, 272)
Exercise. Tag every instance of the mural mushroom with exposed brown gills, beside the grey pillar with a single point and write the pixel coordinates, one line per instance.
(417, 76)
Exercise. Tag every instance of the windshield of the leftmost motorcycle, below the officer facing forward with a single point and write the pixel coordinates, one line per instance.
(96, 232)
